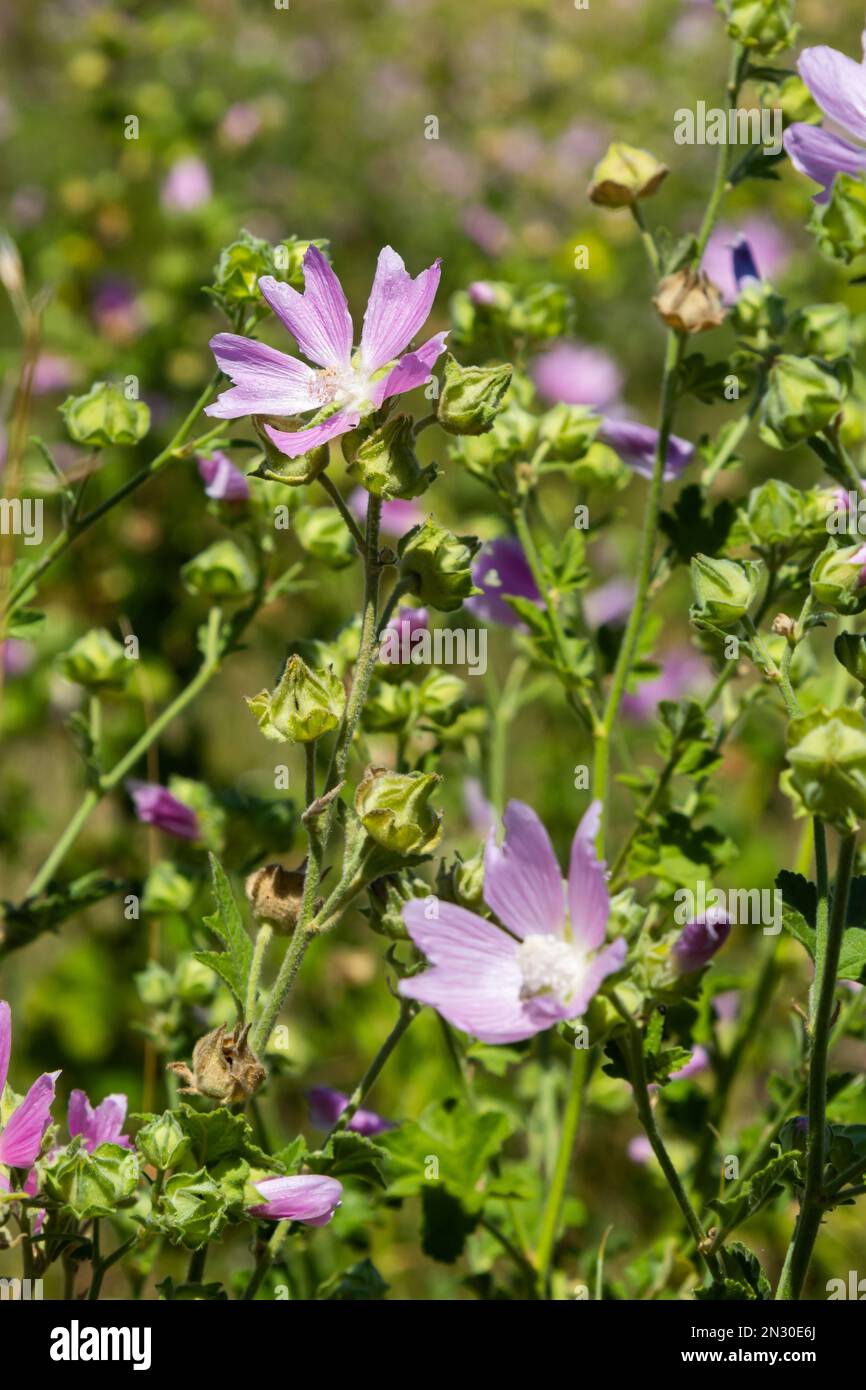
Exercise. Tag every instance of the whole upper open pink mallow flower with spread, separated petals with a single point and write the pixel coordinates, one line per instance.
(350, 386)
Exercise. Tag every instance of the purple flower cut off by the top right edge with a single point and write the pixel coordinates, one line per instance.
(839, 87)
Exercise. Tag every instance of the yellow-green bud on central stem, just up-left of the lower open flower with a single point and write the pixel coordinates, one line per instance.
(394, 811)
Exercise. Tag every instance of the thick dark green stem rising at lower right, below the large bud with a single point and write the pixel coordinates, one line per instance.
(829, 945)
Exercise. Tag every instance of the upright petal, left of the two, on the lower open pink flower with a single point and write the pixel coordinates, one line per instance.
(522, 881)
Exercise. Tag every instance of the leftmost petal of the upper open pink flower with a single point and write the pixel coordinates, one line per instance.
(268, 383)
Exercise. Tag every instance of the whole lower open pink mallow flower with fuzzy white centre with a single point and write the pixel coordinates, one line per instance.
(551, 960)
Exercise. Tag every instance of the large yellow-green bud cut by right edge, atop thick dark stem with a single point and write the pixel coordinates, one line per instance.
(828, 774)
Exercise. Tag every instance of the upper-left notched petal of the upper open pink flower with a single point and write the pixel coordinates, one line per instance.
(320, 318)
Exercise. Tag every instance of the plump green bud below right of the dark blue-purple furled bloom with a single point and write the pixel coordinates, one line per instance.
(804, 395)
